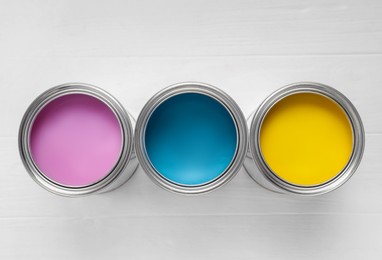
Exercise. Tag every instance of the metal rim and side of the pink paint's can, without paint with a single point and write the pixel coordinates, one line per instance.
(126, 162)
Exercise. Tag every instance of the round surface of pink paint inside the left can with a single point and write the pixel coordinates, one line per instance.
(76, 140)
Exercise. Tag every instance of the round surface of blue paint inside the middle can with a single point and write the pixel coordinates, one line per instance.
(191, 139)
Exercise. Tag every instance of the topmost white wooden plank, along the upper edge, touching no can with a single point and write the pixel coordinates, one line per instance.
(183, 28)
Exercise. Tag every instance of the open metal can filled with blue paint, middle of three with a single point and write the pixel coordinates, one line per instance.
(191, 138)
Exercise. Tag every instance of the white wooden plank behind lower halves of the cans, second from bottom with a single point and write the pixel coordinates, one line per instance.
(20, 197)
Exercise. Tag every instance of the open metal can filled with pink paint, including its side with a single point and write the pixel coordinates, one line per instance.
(76, 139)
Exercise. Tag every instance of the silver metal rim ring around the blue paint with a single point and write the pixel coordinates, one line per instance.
(201, 88)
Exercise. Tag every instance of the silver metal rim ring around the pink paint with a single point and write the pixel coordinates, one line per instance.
(56, 92)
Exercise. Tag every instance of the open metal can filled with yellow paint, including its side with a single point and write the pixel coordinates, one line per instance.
(305, 138)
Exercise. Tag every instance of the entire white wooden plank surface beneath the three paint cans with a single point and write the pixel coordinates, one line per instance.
(135, 48)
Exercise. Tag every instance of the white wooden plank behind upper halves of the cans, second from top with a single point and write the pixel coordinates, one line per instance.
(249, 80)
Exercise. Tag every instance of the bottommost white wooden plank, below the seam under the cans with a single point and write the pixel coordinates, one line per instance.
(194, 237)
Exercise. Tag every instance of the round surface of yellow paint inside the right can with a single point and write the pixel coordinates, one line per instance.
(306, 139)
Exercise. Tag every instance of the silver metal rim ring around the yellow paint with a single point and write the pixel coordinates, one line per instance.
(346, 105)
